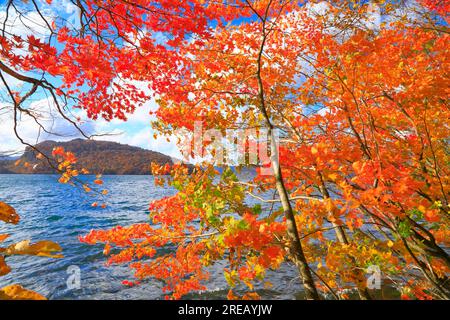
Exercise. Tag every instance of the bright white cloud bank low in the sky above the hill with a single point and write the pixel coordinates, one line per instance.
(136, 131)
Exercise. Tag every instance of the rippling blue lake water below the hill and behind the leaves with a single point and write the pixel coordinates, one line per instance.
(53, 211)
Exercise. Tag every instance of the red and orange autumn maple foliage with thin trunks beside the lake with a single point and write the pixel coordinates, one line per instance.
(359, 92)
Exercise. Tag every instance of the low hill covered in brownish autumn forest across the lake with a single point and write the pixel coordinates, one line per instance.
(96, 156)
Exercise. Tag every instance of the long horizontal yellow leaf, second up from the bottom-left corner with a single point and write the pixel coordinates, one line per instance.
(42, 248)
